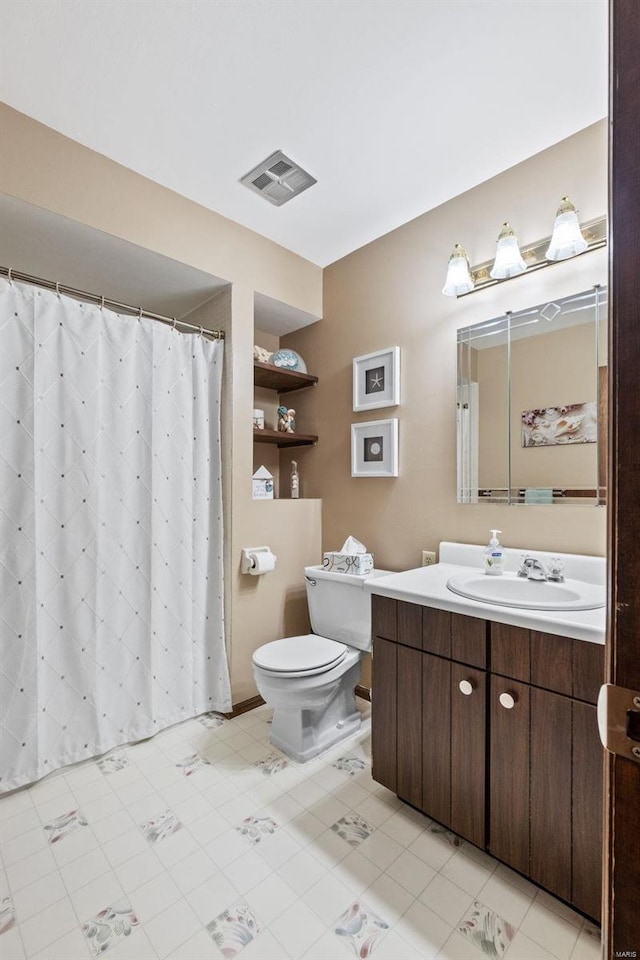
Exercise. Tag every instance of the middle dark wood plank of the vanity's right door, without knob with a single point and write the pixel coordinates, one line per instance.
(550, 810)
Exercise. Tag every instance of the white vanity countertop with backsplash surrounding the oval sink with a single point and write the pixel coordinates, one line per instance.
(427, 586)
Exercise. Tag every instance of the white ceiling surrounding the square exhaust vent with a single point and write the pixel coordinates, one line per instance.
(395, 106)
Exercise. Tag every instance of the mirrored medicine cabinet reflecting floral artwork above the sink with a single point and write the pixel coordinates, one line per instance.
(531, 404)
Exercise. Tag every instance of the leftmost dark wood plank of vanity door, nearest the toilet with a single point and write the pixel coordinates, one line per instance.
(384, 682)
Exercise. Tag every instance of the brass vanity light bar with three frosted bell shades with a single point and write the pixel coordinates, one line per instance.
(569, 239)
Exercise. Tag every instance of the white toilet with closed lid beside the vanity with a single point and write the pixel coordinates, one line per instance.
(310, 680)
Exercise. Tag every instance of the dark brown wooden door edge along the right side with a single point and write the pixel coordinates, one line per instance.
(621, 906)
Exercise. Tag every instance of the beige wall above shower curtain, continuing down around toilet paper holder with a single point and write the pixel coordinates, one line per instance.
(44, 168)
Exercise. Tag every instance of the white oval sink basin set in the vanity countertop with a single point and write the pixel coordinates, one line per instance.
(509, 590)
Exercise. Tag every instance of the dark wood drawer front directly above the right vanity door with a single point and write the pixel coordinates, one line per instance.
(574, 668)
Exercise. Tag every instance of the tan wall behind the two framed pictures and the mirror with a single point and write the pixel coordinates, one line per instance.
(388, 293)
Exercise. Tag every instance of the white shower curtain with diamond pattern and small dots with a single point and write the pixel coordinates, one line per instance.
(111, 576)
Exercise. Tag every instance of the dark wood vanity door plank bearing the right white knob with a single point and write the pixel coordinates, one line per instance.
(509, 773)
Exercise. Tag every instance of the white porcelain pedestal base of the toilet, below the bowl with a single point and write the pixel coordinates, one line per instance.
(304, 734)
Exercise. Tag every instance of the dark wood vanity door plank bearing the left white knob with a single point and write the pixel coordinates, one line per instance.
(468, 743)
